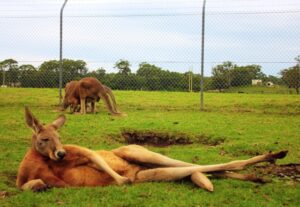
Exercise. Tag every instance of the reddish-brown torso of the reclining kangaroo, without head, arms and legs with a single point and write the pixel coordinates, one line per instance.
(76, 169)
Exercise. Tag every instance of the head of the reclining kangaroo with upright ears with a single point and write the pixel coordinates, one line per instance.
(46, 138)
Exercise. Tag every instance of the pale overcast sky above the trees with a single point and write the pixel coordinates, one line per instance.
(165, 33)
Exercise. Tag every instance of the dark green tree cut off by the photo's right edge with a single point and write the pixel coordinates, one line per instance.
(291, 76)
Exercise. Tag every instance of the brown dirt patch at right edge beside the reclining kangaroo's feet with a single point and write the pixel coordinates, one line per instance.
(289, 171)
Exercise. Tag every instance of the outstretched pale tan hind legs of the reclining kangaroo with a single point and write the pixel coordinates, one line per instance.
(176, 169)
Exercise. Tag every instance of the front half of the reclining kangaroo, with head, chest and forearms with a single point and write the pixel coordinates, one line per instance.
(57, 165)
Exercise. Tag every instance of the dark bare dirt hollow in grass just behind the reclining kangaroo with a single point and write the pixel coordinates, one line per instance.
(157, 138)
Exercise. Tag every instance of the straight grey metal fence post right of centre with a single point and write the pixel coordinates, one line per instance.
(202, 58)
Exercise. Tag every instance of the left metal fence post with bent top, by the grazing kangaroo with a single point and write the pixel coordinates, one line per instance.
(60, 51)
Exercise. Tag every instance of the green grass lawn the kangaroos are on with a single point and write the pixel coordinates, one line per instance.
(249, 123)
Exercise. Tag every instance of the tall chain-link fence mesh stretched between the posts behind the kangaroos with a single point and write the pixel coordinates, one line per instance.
(250, 46)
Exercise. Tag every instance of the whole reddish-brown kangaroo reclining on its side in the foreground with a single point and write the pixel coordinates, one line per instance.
(50, 164)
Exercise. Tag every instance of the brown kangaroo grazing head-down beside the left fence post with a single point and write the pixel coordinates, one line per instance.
(89, 89)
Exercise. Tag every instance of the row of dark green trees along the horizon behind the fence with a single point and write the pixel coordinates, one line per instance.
(147, 77)
